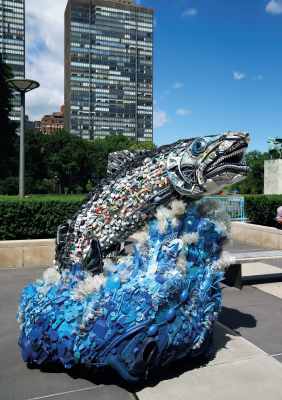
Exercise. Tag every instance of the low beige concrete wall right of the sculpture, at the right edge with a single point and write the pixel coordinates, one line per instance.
(257, 234)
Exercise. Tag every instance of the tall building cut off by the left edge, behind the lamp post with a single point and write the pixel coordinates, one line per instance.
(12, 42)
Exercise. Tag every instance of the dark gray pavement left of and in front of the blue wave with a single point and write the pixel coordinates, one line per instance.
(21, 381)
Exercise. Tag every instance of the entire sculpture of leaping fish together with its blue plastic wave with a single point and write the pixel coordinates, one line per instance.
(160, 305)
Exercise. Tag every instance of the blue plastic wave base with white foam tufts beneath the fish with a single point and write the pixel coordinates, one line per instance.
(163, 311)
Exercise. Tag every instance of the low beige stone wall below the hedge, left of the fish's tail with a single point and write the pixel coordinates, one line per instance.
(26, 253)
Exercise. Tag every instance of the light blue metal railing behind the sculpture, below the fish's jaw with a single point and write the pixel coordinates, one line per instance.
(233, 206)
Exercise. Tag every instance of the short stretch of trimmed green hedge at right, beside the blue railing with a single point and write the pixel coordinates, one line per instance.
(262, 209)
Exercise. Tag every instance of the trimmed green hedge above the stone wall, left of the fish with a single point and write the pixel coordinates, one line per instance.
(35, 217)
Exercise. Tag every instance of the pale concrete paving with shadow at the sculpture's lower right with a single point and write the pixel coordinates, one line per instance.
(239, 370)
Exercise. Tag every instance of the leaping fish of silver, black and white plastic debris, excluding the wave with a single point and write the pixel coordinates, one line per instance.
(137, 183)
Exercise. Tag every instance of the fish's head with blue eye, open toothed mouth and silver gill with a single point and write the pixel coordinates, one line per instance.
(203, 166)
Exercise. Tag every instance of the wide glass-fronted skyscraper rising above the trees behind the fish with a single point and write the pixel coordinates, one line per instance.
(108, 69)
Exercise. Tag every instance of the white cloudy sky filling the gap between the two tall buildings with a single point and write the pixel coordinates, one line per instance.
(45, 56)
